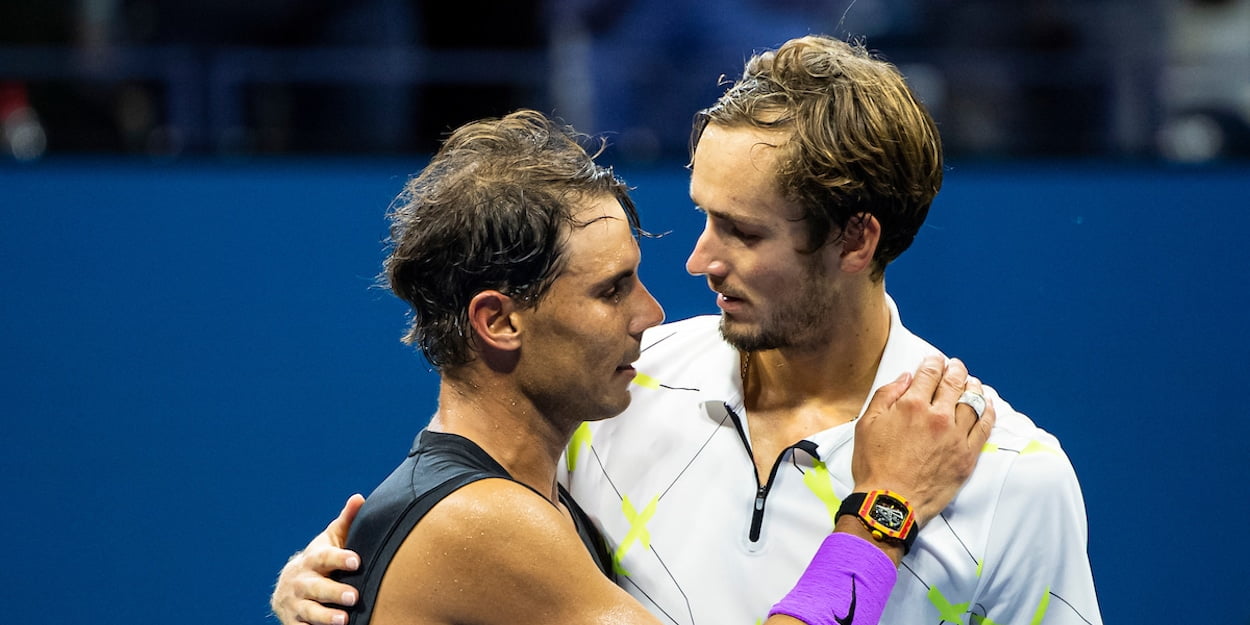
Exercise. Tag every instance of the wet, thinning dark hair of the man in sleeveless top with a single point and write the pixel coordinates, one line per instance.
(491, 212)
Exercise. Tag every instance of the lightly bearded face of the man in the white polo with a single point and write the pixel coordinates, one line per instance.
(771, 294)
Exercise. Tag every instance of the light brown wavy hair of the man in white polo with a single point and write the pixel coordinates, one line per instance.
(861, 142)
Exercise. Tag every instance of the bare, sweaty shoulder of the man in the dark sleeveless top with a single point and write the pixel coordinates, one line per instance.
(496, 552)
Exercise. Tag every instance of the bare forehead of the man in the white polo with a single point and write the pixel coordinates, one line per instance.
(734, 173)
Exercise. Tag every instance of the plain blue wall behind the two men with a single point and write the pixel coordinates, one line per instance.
(197, 373)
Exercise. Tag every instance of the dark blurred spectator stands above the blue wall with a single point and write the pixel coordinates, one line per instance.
(1134, 79)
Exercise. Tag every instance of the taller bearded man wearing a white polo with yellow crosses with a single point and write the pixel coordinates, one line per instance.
(816, 171)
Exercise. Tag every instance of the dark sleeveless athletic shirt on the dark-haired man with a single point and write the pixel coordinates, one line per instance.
(438, 466)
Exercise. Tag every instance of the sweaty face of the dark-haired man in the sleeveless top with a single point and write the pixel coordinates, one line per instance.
(582, 339)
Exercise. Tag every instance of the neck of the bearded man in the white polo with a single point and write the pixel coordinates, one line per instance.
(838, 368)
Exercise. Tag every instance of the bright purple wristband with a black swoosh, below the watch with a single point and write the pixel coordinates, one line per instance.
(847, 583)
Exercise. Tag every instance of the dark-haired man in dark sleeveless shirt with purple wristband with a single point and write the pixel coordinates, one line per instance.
(517, 254)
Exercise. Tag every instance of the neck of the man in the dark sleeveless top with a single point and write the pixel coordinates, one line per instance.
(507, 427)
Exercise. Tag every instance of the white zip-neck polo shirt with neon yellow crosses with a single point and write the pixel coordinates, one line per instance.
(673, 486)
